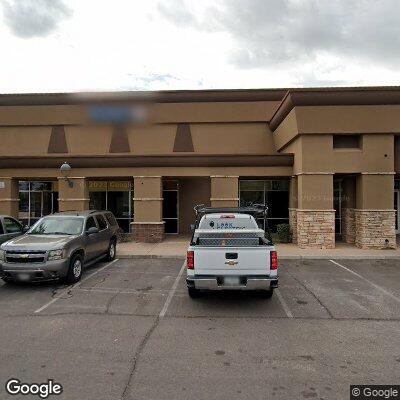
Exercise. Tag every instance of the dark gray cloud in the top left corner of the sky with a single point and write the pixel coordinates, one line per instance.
(34, 18)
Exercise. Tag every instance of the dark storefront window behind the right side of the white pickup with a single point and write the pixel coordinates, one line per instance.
(273, 192)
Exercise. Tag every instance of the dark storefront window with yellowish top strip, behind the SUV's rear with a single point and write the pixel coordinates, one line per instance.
(114, 196)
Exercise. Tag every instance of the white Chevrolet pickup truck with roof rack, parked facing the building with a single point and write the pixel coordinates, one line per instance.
(229, 251)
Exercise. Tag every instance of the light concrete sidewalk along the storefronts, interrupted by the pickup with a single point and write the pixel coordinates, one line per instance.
(175, 246)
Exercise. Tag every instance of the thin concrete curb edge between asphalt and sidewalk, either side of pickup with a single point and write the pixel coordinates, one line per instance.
(283, 258)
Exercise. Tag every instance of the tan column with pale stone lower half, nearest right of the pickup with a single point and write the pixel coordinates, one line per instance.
(315, 216)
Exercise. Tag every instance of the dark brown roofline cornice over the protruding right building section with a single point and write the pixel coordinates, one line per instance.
(341, 96)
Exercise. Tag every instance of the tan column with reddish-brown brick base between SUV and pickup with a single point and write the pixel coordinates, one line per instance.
(148, 225)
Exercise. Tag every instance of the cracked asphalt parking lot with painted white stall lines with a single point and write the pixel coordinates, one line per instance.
(128, 330)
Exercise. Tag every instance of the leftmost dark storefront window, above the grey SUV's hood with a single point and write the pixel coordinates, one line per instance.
(36, 199)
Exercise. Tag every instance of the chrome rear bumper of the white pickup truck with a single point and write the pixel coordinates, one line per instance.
(247, 283)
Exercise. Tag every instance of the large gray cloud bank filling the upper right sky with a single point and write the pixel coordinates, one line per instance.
(290, 32)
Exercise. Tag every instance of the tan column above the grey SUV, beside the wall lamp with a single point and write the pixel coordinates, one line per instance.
(75, 198)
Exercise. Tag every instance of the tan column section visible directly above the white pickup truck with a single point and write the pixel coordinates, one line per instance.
(224, 191)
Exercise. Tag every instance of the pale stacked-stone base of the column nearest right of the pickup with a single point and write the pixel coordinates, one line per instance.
(316, 229)
